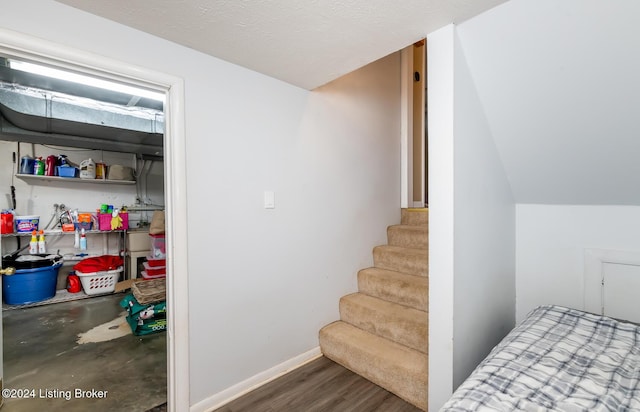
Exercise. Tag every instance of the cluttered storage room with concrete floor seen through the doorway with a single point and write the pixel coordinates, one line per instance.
(82, 242)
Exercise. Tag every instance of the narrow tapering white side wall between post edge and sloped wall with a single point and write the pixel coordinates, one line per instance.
(484, 235)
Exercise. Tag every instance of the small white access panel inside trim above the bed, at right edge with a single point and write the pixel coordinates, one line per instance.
(621, 291)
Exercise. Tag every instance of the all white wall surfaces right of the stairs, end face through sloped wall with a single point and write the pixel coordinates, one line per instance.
(542, 116)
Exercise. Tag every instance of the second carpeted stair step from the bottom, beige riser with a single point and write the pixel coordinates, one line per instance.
(409, 327)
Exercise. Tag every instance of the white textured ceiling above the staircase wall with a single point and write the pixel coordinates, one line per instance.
(305, 43)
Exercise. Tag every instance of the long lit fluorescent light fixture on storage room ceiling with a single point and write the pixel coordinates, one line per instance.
(86, 80)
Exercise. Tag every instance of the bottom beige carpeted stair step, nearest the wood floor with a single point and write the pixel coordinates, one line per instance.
(401, 371)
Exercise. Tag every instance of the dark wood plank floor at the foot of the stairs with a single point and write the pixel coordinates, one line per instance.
(319, 386)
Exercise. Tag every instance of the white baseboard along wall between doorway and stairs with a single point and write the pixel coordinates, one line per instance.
(221, 398)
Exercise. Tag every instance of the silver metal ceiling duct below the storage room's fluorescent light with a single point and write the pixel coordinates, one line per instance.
(76, 117)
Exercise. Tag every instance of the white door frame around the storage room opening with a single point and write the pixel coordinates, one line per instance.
(175, 184)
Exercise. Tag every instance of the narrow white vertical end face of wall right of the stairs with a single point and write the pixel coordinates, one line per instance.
(440, 87)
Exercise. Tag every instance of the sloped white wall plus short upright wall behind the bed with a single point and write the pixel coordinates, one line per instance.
(557, 83)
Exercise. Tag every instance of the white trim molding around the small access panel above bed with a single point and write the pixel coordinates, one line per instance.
(594, 259)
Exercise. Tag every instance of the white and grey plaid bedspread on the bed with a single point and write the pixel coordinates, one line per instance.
(557, 359)
